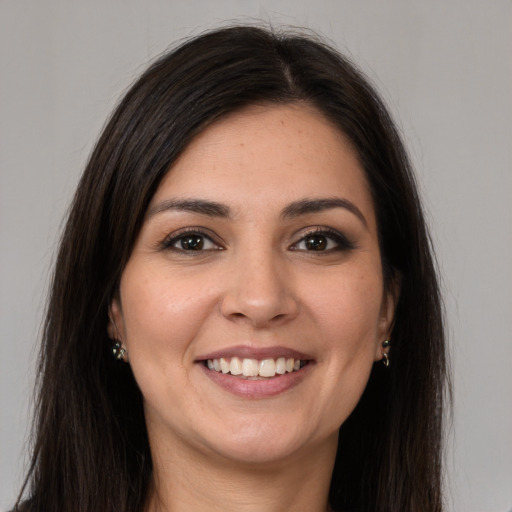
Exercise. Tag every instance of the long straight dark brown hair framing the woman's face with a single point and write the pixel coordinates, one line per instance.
(90, 450)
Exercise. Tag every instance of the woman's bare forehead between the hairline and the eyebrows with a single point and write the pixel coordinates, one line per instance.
(268, 156)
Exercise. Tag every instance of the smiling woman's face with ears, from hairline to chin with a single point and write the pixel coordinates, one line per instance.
(252, 306)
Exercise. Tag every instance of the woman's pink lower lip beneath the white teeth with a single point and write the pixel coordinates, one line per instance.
(264, 388)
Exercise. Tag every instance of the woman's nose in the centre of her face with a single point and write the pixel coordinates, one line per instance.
(260, 291)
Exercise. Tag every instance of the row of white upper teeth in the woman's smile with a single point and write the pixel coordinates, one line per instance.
(253, 367)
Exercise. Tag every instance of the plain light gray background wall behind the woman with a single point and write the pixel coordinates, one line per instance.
(445, 69)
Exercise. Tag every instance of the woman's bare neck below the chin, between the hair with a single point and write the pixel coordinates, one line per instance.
(185, 480)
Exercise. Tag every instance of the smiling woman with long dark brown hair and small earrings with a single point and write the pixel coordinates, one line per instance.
(246, 240)
